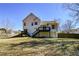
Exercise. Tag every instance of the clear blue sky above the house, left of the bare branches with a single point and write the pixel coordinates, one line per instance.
(14, 13)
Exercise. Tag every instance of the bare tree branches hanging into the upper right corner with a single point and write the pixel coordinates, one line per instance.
(74, 9)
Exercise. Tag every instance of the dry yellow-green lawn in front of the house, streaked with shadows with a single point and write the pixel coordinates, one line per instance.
(27, 46)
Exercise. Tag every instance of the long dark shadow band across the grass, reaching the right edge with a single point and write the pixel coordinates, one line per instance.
(34, 43)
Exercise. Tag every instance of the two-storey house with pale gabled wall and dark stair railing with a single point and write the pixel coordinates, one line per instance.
(34, 27)
